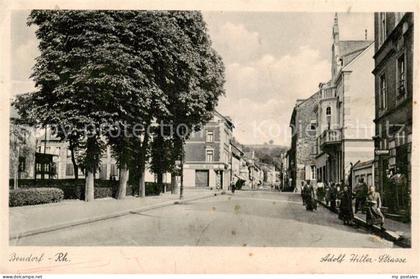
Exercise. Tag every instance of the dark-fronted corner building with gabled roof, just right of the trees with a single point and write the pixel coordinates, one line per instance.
(208, 154)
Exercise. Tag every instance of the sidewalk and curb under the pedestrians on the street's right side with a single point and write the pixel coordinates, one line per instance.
(397, 232)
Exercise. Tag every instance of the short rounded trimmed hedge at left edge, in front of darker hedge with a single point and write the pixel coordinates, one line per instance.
(34, 196)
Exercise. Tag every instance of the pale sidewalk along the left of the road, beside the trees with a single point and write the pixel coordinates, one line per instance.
(30, 220)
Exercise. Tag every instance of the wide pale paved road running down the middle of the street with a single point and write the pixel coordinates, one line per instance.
(244, 219)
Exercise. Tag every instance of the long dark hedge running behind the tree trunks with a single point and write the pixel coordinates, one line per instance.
(74, 189)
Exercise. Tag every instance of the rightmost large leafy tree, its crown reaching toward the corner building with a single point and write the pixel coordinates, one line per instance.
(192, 81)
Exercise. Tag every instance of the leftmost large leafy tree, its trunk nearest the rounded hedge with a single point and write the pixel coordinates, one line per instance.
(83, 76)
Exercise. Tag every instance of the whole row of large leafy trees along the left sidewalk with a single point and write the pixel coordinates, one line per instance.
(127, 68)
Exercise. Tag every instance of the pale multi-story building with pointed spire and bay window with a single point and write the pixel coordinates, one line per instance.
(345, 109)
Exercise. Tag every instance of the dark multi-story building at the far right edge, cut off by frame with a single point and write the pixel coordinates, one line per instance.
(393, 100)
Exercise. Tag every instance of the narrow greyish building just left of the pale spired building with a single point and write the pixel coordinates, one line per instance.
(302, 154)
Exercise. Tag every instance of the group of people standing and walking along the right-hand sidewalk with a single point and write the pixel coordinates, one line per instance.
(367, 200)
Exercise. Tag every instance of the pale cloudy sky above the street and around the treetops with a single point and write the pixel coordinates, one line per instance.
(271, 59)
